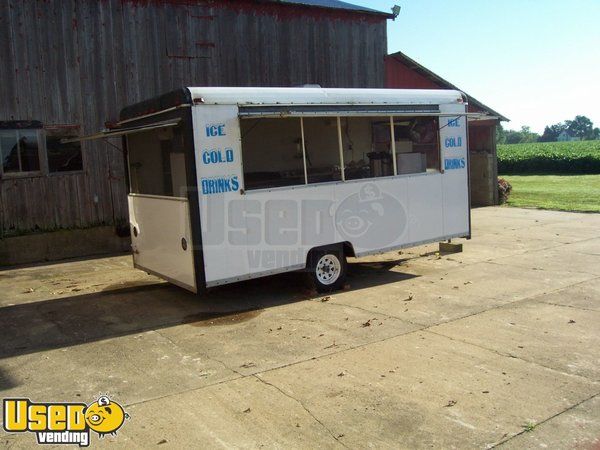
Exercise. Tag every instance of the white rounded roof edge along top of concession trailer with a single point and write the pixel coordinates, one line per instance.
(321, 96)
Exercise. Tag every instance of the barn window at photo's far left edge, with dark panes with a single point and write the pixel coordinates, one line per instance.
(20, 150)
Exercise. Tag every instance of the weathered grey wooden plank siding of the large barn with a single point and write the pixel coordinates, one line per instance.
(80, 61)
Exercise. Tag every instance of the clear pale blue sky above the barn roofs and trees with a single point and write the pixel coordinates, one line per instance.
(537, 62)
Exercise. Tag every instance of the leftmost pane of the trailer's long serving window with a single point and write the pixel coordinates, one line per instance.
(272, 152)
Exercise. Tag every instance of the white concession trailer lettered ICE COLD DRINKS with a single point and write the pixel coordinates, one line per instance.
(228, 184)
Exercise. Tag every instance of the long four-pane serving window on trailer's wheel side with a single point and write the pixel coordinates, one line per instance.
(315, 149)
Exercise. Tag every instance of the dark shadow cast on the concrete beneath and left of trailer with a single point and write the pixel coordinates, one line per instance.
(57, 323)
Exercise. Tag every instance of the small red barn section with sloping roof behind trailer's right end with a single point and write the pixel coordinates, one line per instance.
(402, 72)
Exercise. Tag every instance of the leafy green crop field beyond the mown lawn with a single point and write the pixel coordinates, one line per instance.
(580, 157)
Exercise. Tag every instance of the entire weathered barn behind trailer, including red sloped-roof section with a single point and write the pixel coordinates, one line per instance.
(69, 66)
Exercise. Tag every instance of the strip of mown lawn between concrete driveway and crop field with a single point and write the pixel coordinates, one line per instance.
(561, 192)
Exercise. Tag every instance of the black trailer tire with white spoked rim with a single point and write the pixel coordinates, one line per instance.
(327, 269)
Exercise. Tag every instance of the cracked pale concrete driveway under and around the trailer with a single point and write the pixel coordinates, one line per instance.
(495, 346)
